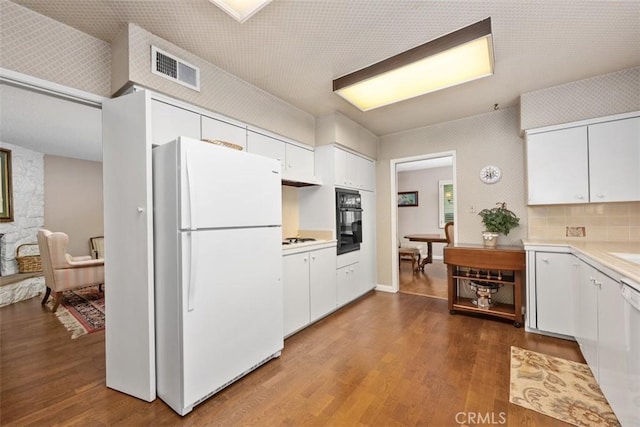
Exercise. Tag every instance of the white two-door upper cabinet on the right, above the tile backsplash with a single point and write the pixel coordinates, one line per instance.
(593, 162)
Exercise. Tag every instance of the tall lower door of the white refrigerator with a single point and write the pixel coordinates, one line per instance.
(232, 305)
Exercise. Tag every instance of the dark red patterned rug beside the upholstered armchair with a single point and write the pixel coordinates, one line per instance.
(81, 311)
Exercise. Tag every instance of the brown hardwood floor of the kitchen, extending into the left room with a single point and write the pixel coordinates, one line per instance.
(385, 360)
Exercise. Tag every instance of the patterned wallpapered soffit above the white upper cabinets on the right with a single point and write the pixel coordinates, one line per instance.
(600, 96)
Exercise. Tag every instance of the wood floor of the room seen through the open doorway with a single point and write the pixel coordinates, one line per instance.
(430, 282)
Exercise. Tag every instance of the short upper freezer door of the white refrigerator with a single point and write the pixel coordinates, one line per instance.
(221, 187)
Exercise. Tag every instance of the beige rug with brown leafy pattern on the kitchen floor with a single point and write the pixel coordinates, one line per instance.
(559, 388)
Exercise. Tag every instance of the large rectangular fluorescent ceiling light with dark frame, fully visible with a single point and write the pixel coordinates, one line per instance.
(453, 59)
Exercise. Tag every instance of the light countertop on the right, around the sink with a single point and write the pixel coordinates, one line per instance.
(598, 251)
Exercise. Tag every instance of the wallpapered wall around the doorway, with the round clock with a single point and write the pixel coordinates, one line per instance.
(487, 139)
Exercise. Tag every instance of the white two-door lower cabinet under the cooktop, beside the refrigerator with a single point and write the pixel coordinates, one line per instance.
(309, 287)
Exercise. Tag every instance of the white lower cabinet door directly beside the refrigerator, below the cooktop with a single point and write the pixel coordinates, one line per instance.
(296, 291)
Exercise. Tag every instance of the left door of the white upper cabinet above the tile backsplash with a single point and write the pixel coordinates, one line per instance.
(557, 167)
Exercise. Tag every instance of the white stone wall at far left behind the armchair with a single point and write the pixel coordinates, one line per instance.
(28, 205)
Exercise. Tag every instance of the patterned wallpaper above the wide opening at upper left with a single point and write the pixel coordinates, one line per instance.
(38, 46)
